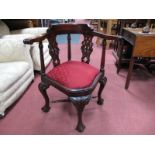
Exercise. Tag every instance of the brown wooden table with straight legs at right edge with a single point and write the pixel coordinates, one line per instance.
(143, 49)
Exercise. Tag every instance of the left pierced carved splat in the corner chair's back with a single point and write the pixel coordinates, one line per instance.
(54, 50)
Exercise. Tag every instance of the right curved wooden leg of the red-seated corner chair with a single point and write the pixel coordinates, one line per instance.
(102, 85)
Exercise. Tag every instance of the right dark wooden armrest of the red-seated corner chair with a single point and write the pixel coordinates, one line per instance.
(106, 36)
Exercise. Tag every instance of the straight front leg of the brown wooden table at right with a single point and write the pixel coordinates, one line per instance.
(129, 73)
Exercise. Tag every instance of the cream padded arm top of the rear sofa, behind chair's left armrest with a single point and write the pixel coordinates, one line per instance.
(34, 31)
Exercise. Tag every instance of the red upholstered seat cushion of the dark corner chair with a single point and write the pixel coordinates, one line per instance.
(74, 74)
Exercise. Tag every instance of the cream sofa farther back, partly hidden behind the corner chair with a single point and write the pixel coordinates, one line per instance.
(34, 50)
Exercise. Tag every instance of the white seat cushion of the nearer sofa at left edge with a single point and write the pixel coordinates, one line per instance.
(11, 72)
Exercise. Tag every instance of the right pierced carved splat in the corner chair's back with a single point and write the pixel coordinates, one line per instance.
(86, 48)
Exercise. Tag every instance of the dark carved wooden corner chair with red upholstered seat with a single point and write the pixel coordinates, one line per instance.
(76, 79)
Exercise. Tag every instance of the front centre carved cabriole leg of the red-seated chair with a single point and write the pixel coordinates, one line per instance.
(79, 103)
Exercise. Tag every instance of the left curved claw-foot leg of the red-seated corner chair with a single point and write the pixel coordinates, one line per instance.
(42, 87)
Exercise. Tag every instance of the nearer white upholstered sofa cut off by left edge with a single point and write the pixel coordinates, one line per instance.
(16, 71)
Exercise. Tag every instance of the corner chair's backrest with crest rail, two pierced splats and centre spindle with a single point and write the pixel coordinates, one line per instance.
(86, 47)
